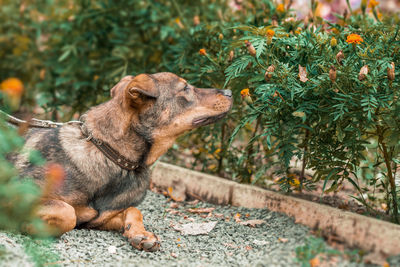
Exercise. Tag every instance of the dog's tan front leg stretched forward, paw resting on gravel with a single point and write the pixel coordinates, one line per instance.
(130, 222)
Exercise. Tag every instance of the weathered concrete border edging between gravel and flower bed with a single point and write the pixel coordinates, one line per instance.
(353, 229)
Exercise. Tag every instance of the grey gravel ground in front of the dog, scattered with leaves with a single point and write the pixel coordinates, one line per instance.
(230, 243)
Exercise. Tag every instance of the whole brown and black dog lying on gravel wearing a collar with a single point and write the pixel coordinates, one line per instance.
(106, 156)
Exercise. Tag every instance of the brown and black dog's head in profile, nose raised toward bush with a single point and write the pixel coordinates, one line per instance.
(163, 106)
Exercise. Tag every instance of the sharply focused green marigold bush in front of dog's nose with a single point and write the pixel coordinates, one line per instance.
(339, 116)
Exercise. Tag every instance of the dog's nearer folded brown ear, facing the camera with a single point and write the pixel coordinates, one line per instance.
(140, 89)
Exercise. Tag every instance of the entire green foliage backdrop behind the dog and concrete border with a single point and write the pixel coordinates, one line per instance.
(306, 102)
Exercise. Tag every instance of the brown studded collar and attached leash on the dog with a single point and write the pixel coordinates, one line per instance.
(104, 147)
